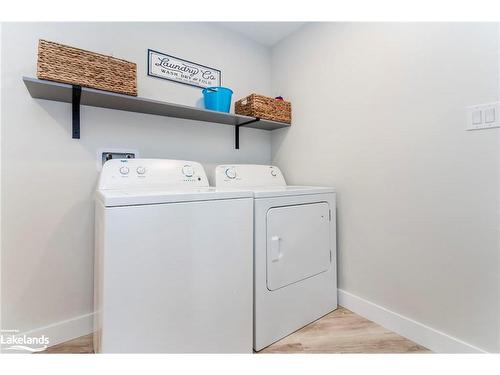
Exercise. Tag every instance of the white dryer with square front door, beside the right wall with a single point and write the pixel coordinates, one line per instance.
(295, 277)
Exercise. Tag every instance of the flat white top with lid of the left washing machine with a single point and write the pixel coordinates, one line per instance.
(134, 197)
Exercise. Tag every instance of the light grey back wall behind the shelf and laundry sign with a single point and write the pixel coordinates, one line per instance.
(49, 178)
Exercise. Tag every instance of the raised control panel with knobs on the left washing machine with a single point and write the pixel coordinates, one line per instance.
(146, 173)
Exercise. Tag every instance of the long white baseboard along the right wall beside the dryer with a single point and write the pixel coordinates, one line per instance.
(431, 338)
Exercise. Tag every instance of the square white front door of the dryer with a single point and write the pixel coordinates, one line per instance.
(298, 243)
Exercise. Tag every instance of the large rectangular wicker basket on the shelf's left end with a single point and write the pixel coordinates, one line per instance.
(57, 62)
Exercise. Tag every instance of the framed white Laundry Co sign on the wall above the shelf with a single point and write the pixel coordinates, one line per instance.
(174, 69)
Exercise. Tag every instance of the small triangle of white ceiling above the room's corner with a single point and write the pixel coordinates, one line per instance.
(266, 33)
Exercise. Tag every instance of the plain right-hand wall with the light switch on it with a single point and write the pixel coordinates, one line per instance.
(378, 112)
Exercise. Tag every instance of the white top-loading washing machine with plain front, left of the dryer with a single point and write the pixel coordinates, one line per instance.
(173, 261)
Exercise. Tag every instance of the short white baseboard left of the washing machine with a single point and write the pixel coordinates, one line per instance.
(65, 330)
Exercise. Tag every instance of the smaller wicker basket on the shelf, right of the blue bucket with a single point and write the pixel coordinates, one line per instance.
(265, 108)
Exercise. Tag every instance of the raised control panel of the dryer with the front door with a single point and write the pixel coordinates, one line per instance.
(248, 175)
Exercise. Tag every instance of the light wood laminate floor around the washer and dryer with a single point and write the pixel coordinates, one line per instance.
(341, 331)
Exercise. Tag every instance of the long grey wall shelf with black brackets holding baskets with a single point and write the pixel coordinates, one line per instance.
(61, 92)
